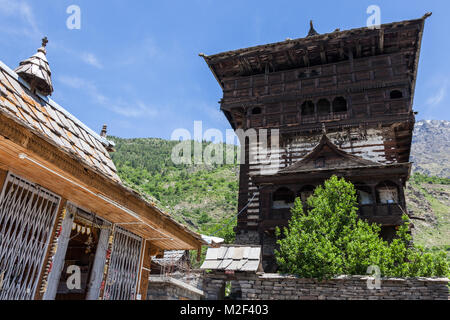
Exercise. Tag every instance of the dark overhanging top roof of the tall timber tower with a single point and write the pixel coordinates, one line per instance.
(317, 49)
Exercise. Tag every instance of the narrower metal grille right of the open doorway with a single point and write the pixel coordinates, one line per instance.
(123, 271)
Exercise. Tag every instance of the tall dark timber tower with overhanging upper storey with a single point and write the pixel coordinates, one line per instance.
(343, 102)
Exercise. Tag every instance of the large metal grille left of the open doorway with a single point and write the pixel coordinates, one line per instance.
(27, 215)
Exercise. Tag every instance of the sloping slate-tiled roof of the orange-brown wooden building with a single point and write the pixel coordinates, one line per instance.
(46, 118)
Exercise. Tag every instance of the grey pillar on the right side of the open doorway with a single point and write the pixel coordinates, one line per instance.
(99, 265)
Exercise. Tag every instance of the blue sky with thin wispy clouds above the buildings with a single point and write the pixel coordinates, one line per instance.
(134, 65)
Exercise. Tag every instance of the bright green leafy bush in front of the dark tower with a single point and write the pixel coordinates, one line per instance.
(330, 240)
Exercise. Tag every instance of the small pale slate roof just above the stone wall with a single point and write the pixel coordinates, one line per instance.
(233, 258)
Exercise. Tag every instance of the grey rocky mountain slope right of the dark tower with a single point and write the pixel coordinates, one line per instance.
(430, 151)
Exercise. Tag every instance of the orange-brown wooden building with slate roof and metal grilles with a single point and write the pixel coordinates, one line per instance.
(69, 228)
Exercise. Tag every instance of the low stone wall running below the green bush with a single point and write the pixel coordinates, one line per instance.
(274, 286)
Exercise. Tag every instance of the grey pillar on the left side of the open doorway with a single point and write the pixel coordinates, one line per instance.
(59, 258)
